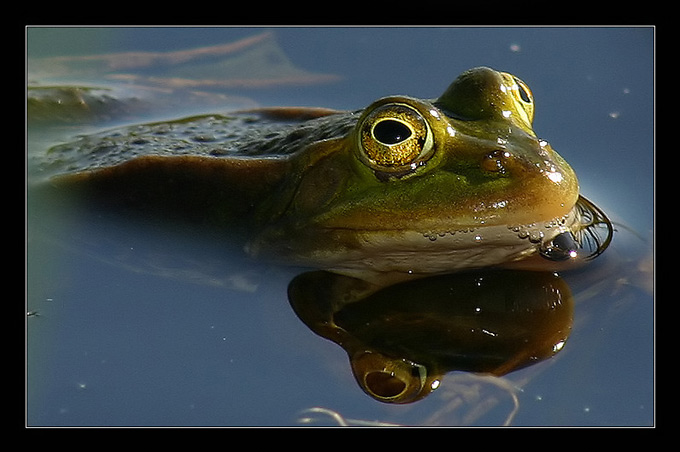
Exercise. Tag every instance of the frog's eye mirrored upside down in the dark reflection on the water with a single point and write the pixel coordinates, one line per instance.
(391, 380)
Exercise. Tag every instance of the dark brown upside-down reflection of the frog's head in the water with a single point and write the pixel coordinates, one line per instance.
(402, 339)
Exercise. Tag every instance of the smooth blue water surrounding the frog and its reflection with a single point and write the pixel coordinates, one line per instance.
(195, 338)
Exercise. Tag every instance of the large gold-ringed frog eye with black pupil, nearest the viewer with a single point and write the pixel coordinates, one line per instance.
(394, 138)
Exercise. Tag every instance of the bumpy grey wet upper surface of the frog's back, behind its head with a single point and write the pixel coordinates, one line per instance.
(265, 133)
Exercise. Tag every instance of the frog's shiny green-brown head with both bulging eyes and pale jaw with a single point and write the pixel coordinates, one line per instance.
(426, 186)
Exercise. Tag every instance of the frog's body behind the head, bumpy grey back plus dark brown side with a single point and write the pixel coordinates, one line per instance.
(208, 169)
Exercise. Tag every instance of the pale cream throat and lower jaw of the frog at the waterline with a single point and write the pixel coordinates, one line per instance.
(429, 252)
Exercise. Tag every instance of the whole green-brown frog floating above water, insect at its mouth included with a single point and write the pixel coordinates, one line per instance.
(405, 186)
